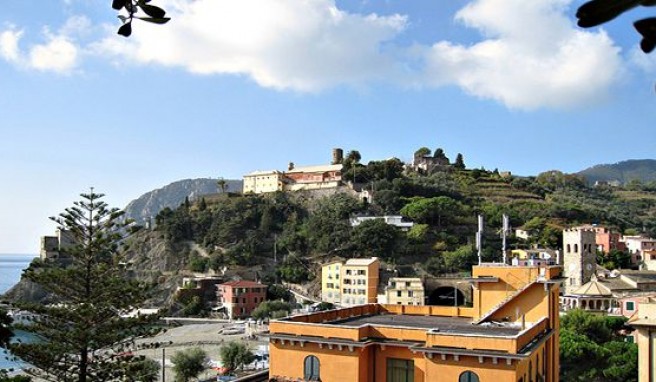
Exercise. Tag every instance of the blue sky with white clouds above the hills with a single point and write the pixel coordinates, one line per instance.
(228, 87)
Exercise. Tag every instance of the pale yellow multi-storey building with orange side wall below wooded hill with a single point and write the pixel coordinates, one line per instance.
(351, 283)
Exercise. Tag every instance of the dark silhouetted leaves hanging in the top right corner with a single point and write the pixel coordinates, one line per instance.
(597, 12)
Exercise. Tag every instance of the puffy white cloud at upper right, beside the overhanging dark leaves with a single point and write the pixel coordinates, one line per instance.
(533, 56)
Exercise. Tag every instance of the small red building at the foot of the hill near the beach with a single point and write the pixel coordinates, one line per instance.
(240, 298)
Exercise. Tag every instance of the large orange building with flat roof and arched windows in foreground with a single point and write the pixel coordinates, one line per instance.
(510, 334)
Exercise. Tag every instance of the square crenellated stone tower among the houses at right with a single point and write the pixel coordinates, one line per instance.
(579, 257)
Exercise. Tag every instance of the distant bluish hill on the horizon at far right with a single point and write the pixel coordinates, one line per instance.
(623, 172)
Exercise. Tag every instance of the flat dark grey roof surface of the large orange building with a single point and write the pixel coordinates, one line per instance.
(438, 324)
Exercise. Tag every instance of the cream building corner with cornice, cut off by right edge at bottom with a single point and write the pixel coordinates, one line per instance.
(645, 323)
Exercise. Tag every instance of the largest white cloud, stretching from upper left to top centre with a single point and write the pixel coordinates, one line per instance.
(301, 45)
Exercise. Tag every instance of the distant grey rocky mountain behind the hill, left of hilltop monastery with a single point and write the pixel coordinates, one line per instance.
(148, 205)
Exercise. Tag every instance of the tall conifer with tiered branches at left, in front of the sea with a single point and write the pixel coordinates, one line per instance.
(85, 330)
